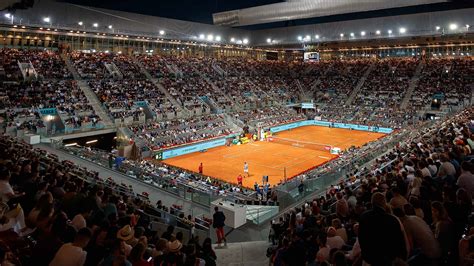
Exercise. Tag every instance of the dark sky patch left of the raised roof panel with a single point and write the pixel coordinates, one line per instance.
(190, 10)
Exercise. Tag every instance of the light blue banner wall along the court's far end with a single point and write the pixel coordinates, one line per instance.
(327, 124)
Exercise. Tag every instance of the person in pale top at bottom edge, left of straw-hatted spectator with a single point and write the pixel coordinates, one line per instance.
(72, 254)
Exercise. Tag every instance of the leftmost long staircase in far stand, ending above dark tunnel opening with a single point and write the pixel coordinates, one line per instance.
(99, 109)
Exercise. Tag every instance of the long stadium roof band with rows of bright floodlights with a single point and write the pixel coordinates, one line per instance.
(91, 19)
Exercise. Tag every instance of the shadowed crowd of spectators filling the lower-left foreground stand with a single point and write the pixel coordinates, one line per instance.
(55, 213)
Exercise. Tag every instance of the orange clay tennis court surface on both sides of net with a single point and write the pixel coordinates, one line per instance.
(267, 158)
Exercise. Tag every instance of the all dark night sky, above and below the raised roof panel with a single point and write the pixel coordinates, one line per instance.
(202, 10)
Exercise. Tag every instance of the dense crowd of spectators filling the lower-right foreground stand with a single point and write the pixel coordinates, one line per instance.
(412, 206)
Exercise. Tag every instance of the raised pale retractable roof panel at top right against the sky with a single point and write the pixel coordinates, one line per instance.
(294, 11)
